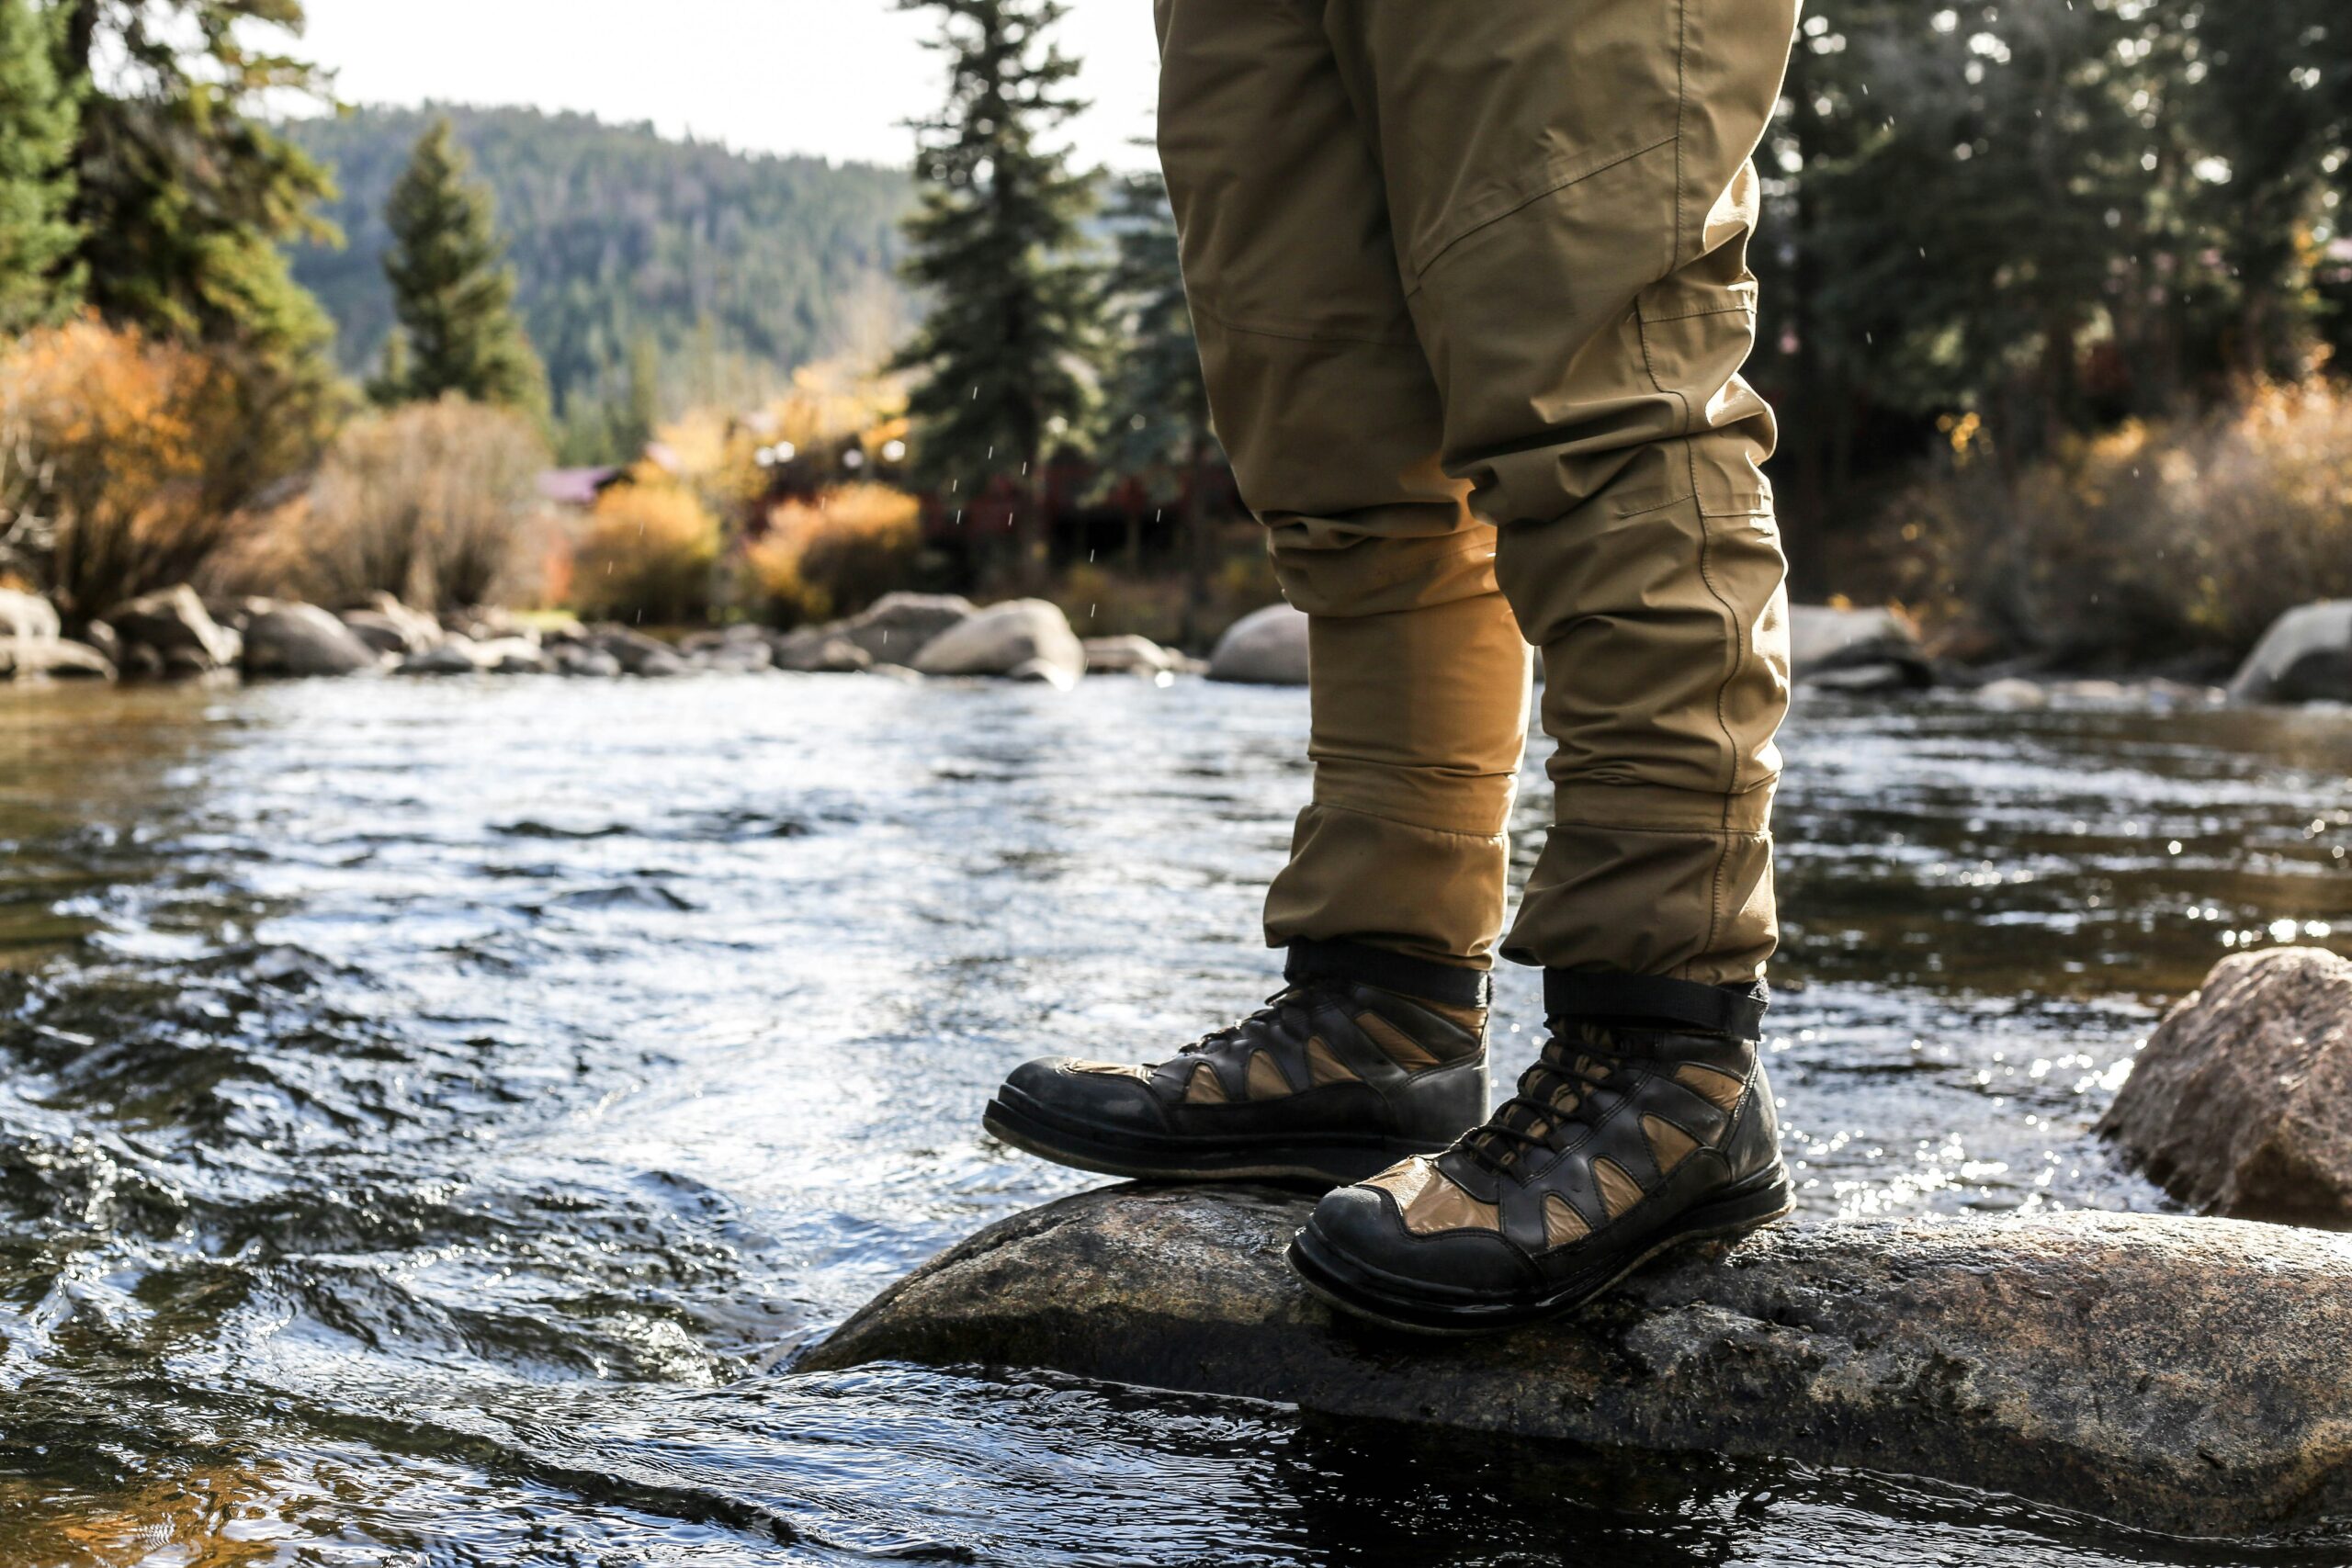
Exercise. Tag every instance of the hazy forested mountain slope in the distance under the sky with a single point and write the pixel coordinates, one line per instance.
(737, 267)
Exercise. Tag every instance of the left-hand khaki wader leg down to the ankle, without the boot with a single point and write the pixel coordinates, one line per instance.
(1325, 406)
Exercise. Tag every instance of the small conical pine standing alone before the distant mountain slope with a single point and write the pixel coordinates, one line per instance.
(450, 290)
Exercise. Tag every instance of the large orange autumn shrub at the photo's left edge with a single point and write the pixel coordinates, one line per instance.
(126, 464)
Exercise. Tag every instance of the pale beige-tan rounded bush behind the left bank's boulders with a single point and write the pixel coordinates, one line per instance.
(436, 504)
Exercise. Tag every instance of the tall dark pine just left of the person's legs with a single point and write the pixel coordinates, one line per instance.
(1013, 302)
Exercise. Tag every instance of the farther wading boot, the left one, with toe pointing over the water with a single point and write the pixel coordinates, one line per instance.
(1361, 1059)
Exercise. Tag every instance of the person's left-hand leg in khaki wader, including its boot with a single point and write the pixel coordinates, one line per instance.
(1325, 403)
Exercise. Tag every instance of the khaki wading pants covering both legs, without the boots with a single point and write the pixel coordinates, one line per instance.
(1471, 288)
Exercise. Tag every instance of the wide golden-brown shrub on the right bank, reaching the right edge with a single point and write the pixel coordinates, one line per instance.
(2149, 542)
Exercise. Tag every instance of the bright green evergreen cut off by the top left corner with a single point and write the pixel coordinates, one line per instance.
(36, 180)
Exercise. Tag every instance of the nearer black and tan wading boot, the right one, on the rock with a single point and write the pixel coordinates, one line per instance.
(1645, 1123)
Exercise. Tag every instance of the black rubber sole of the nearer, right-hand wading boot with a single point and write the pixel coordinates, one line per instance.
(1384, 1299)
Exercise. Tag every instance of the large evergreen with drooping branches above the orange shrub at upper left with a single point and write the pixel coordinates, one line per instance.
(182, 196)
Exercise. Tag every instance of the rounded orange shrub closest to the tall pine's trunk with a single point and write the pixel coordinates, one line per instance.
(834, 556)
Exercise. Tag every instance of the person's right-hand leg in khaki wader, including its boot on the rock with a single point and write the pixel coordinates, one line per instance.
(1572, 206)
